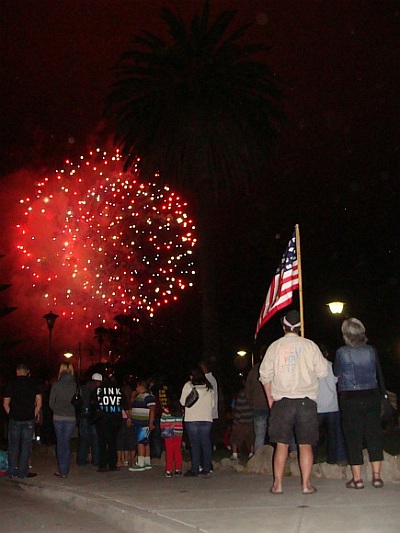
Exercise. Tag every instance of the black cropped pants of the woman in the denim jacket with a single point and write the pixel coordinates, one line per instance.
(362, 425)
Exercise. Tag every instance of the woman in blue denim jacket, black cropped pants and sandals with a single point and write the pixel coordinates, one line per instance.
(359, 400)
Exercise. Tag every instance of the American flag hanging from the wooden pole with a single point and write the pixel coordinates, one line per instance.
(286, 280)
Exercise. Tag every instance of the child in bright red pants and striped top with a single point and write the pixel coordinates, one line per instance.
(171, 424)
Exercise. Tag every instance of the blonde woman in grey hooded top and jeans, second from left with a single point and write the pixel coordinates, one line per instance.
(64, 419)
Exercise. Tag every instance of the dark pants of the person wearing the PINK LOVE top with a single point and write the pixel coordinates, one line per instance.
(107, 428)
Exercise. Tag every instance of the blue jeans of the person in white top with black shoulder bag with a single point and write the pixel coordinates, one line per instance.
(200, 445)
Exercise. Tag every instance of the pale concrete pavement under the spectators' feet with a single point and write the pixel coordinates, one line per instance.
(228, 501)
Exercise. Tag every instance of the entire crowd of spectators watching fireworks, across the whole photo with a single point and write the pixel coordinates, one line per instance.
(287, 397)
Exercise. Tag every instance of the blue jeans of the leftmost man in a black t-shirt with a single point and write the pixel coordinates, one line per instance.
(20, 435)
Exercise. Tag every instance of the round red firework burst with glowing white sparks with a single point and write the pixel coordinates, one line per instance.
(97, 242)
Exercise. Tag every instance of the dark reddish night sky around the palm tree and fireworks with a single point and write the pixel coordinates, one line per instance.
(335, 171)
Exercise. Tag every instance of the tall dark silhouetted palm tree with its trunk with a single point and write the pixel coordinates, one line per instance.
(198, 111)
